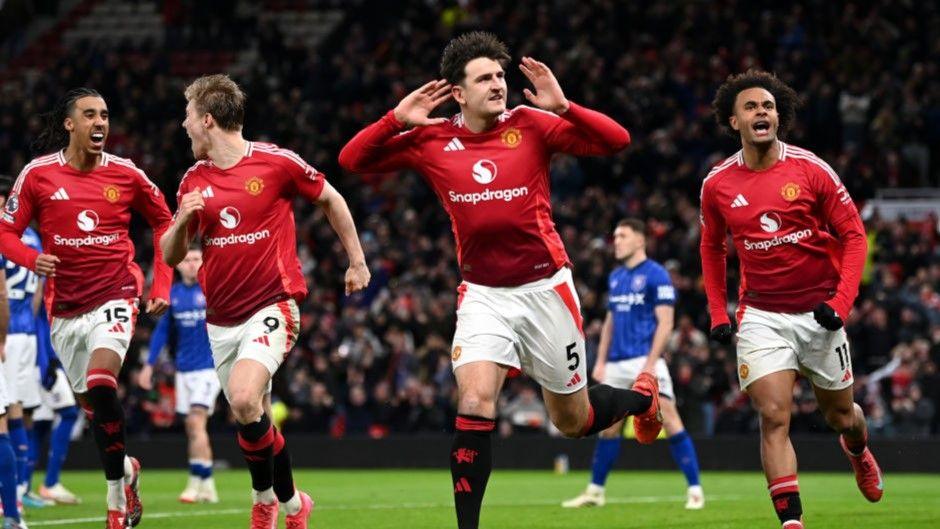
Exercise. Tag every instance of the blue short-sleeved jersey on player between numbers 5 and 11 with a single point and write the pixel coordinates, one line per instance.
(632, 300)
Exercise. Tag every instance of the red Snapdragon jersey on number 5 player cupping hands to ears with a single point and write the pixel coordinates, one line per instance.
(494, 184)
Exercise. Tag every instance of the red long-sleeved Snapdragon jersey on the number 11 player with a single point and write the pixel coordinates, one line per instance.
(798, 236)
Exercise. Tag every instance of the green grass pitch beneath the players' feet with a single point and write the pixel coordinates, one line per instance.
(418, 499)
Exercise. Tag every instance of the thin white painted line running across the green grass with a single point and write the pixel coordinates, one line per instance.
(389, 506)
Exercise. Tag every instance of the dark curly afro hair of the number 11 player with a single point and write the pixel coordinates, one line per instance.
(787, 99)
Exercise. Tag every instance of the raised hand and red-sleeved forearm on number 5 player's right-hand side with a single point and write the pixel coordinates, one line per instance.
(580, 131)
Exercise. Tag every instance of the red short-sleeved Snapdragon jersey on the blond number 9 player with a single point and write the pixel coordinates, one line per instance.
(247, 230)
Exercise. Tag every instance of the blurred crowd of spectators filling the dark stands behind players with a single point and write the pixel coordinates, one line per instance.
(379, 362)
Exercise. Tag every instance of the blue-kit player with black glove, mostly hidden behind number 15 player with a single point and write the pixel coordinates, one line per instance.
(58, 402)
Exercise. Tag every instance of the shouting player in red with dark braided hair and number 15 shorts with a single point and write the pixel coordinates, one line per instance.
(82, 197)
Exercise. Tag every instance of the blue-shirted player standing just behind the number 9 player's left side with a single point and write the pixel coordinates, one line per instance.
(197, 384)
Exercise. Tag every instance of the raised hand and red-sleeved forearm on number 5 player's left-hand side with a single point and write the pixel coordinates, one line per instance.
(380, 147)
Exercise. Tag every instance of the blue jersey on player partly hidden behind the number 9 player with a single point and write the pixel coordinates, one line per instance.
(186, 320)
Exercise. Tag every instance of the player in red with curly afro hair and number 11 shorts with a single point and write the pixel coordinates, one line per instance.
(802, 246)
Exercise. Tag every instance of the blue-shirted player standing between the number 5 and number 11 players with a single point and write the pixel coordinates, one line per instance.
(640, 313)
